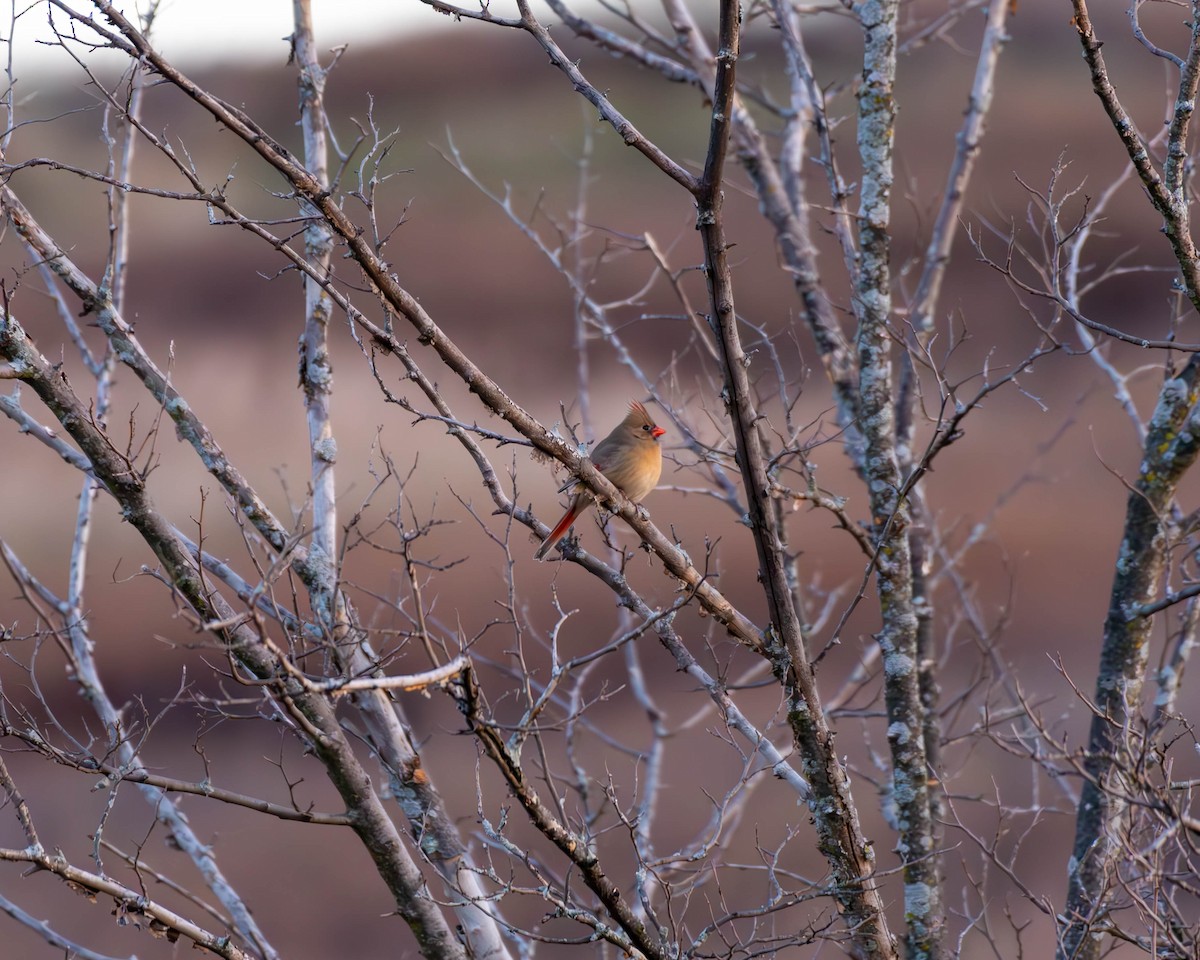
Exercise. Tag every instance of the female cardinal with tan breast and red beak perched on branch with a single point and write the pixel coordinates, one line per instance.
(632, 460)
